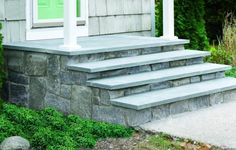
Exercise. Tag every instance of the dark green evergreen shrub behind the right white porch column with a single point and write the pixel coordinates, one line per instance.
(189, 22)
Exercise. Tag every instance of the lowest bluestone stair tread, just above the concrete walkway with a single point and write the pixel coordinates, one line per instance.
(166, 96)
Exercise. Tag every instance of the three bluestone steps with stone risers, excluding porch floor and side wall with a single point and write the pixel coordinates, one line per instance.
(135, 86)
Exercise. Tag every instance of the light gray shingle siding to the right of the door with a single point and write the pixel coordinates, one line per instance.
(119, 16)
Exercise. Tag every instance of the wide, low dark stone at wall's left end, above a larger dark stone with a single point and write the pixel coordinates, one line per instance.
(18, 78)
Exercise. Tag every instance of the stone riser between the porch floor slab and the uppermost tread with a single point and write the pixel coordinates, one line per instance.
(121, 54)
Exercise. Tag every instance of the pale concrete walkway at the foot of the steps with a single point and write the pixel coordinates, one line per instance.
(215, 125)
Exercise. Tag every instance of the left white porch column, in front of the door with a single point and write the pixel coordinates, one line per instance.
(70, 25)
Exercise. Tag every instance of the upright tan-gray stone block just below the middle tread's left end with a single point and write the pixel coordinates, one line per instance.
(81, 101)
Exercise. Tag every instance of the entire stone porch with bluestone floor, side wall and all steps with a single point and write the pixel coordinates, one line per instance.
(121, 79)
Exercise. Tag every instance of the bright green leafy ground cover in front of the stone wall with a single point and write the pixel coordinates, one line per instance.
(50, 129)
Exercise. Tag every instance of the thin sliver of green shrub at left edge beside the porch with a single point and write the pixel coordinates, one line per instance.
(2, 75)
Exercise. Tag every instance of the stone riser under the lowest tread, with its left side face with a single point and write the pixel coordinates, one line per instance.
(131, 117)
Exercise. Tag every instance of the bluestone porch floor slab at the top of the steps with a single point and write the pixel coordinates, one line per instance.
(96, 44)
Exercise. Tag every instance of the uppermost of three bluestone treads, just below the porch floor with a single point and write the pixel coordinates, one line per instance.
(125, 62)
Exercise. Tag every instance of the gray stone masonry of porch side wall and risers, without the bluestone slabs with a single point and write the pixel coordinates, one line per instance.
(39, 80)
